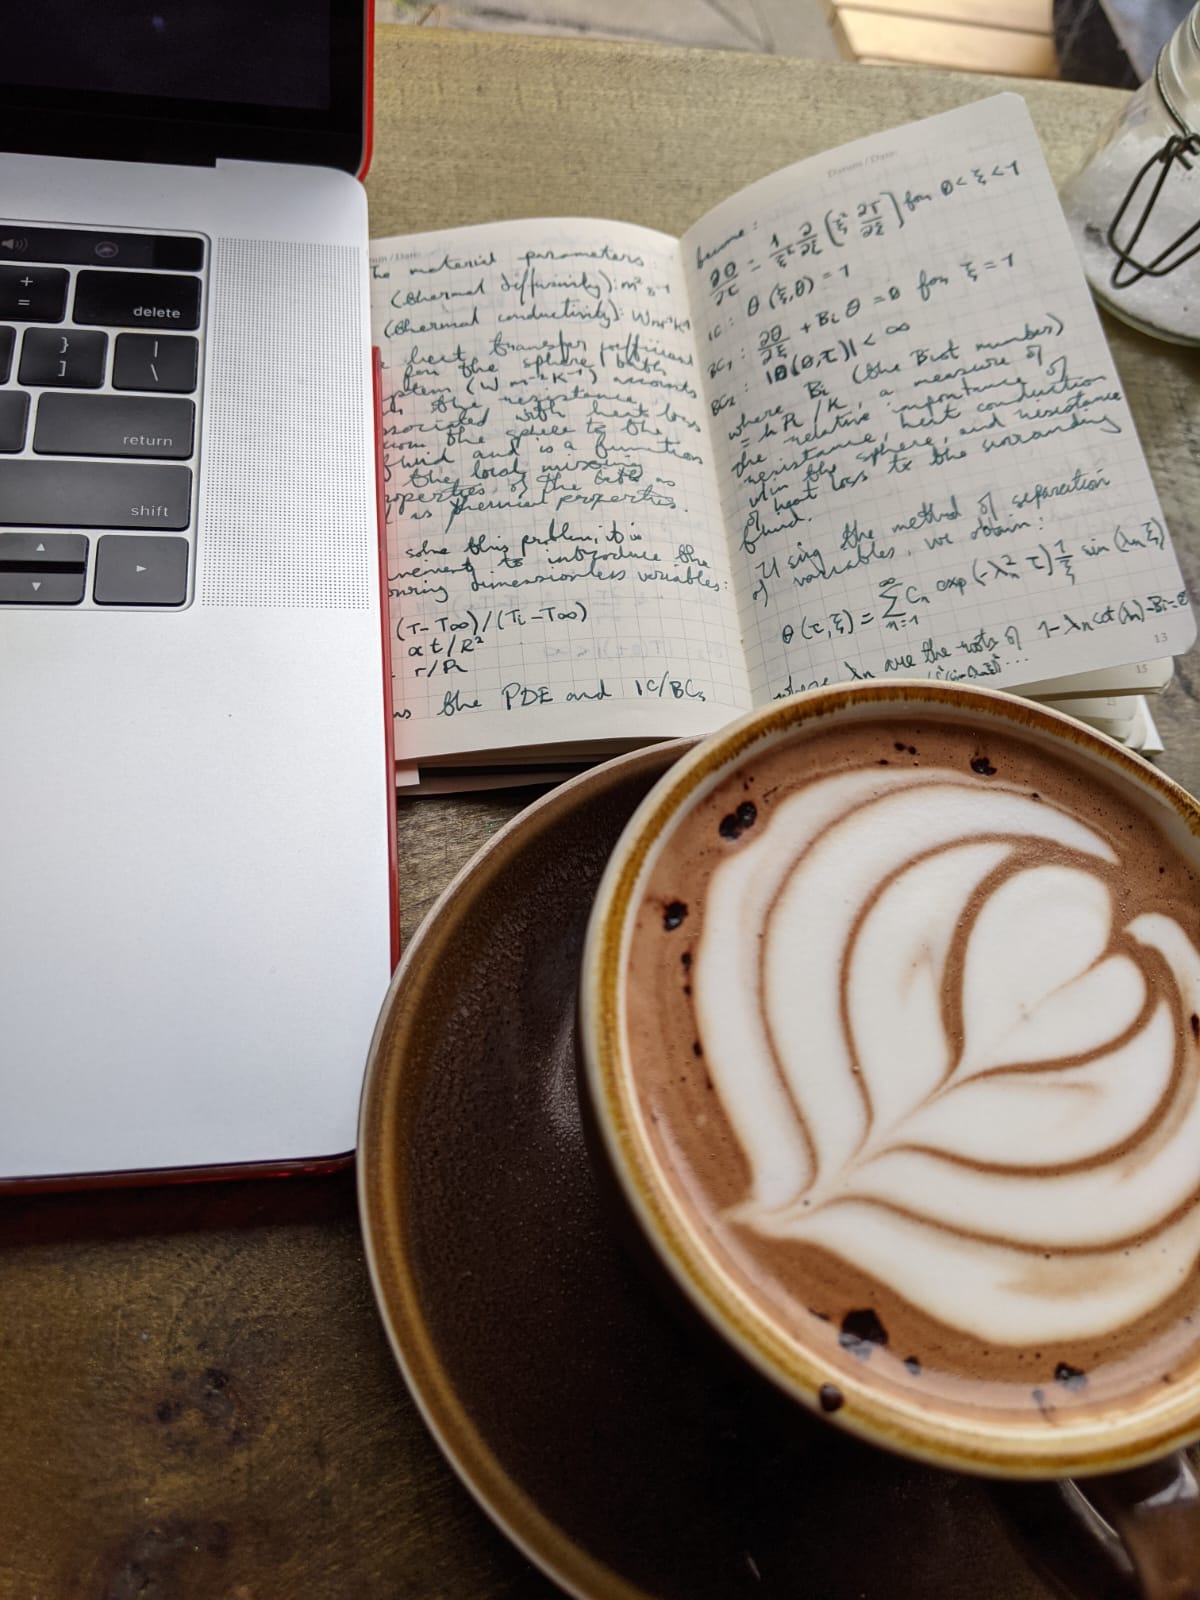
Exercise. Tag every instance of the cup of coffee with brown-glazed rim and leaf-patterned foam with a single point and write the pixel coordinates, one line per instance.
(890, 1031)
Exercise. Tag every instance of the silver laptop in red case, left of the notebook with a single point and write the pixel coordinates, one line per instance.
(196, 870)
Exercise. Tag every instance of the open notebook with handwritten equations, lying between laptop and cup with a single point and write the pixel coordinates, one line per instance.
(860, 422)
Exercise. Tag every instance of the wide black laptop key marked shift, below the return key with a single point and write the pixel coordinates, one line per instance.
(94, 495)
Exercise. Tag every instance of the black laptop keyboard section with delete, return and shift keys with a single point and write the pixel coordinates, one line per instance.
(100, 375)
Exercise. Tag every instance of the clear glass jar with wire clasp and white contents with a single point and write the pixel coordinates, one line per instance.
(1135, 209)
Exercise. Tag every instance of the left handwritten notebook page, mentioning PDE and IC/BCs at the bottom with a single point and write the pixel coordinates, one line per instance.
(558, 562)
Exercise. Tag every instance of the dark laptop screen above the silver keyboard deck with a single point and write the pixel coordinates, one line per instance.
(186, 81)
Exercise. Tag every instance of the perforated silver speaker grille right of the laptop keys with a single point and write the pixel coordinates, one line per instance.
(287, 511)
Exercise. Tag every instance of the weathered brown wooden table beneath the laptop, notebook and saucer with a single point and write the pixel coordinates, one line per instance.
(196, 1398)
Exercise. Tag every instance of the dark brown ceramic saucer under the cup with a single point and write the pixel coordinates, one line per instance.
(618, 1452)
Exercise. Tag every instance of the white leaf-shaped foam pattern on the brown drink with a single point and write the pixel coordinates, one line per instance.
(950, 1060)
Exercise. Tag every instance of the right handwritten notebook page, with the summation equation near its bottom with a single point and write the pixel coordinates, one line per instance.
(929, 465)
